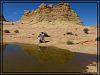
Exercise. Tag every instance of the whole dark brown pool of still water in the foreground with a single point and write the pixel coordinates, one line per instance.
(33, 58)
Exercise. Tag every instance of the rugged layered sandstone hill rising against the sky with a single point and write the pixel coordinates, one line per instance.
(50, 13)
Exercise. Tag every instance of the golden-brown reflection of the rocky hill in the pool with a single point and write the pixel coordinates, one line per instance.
(45, 55)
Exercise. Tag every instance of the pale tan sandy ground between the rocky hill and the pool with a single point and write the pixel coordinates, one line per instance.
(84, 43)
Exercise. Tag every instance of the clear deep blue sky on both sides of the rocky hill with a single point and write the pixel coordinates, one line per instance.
(86, 11)
